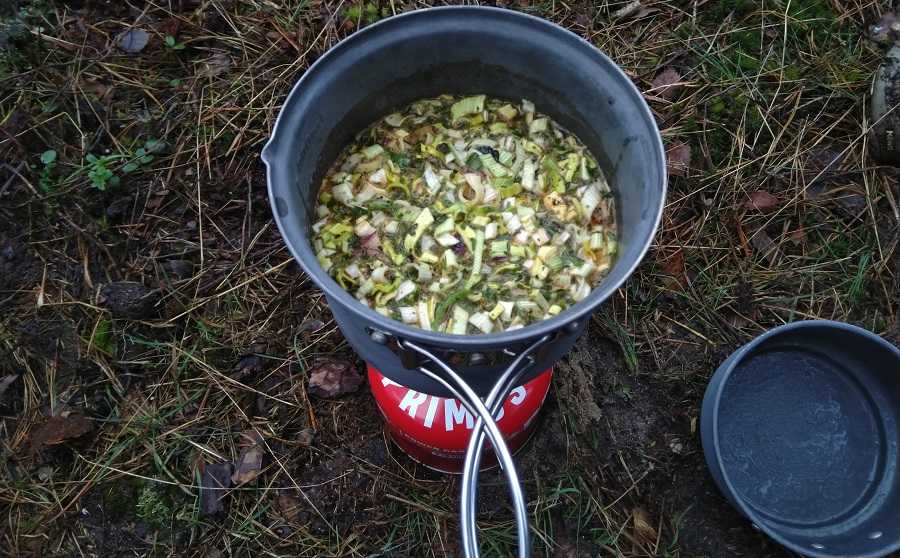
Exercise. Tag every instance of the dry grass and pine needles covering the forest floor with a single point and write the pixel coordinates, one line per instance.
(767, 98)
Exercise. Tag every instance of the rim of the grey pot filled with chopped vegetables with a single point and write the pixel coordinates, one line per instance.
(573, 313)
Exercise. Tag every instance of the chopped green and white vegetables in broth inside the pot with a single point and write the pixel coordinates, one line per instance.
(466, 215)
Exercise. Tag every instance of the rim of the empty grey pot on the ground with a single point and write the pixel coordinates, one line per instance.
(737, 358)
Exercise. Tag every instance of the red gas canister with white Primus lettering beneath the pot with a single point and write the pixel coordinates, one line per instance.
(435, 430)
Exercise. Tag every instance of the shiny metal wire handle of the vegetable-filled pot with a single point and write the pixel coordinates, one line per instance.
(485, 411)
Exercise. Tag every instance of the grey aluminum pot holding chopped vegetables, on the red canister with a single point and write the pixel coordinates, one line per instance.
(464, 50)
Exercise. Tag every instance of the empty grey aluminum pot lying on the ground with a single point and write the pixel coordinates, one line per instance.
(801, 432)
